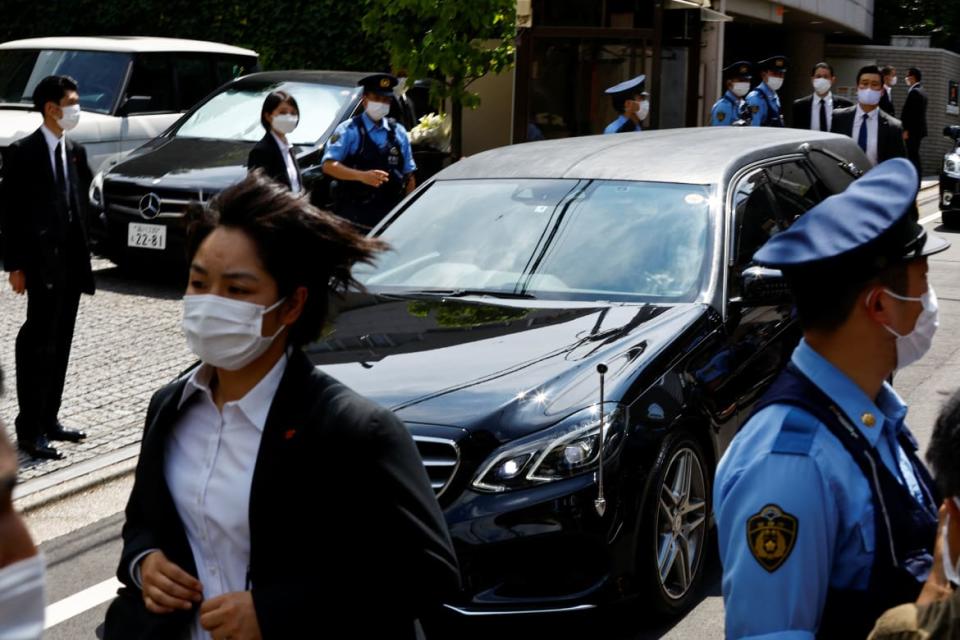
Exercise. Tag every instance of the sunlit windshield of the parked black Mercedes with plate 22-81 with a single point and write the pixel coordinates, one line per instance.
(234, 113)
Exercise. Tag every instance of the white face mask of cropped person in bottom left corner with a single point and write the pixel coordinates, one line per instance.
(22, 599)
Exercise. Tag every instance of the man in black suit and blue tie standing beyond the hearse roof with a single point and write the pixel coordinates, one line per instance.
(878, 134)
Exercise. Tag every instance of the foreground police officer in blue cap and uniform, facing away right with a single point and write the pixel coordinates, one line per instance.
(825, 515)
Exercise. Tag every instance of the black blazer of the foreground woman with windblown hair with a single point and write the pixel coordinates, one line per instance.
(345, 531)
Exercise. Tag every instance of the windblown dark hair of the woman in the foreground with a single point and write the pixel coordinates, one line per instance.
(298, 244)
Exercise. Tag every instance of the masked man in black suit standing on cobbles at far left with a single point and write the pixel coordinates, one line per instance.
(46, 177)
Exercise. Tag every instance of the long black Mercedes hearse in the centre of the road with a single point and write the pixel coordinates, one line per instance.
(536, 293)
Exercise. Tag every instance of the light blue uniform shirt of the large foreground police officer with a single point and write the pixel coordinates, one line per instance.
(824, 490)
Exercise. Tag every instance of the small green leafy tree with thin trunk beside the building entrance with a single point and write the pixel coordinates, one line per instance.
(452, 41)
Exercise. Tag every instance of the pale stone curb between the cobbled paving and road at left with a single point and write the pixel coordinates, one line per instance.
(75, 479)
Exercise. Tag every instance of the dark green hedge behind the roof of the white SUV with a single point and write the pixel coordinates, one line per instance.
(288, 34)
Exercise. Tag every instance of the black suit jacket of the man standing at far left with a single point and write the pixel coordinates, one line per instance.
(38, 239)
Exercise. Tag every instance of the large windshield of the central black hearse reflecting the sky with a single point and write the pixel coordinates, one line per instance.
(556, 239)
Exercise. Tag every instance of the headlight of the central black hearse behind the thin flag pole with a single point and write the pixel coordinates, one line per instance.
(567, 449)
